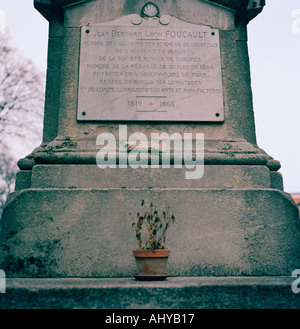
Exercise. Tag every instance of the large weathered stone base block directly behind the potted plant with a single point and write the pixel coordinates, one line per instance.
(87, 232)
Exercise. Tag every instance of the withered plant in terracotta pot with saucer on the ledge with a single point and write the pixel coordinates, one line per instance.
(150, 230)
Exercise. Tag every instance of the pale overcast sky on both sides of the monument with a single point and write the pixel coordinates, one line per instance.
(274, 47)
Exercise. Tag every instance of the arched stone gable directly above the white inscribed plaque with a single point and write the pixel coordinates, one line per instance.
(197, 12)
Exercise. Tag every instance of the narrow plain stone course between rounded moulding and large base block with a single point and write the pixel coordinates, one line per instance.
(90, 176)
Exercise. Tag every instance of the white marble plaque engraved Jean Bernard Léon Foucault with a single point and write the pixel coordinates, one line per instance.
(152, 74)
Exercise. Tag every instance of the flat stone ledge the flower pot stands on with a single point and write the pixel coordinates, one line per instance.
(174, 293)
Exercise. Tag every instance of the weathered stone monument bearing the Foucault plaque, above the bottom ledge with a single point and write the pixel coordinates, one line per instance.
(122, 67)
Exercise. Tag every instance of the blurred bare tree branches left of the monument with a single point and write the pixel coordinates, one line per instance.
(21, 111)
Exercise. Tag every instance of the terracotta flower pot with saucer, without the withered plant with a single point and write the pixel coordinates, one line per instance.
(151, 264)
